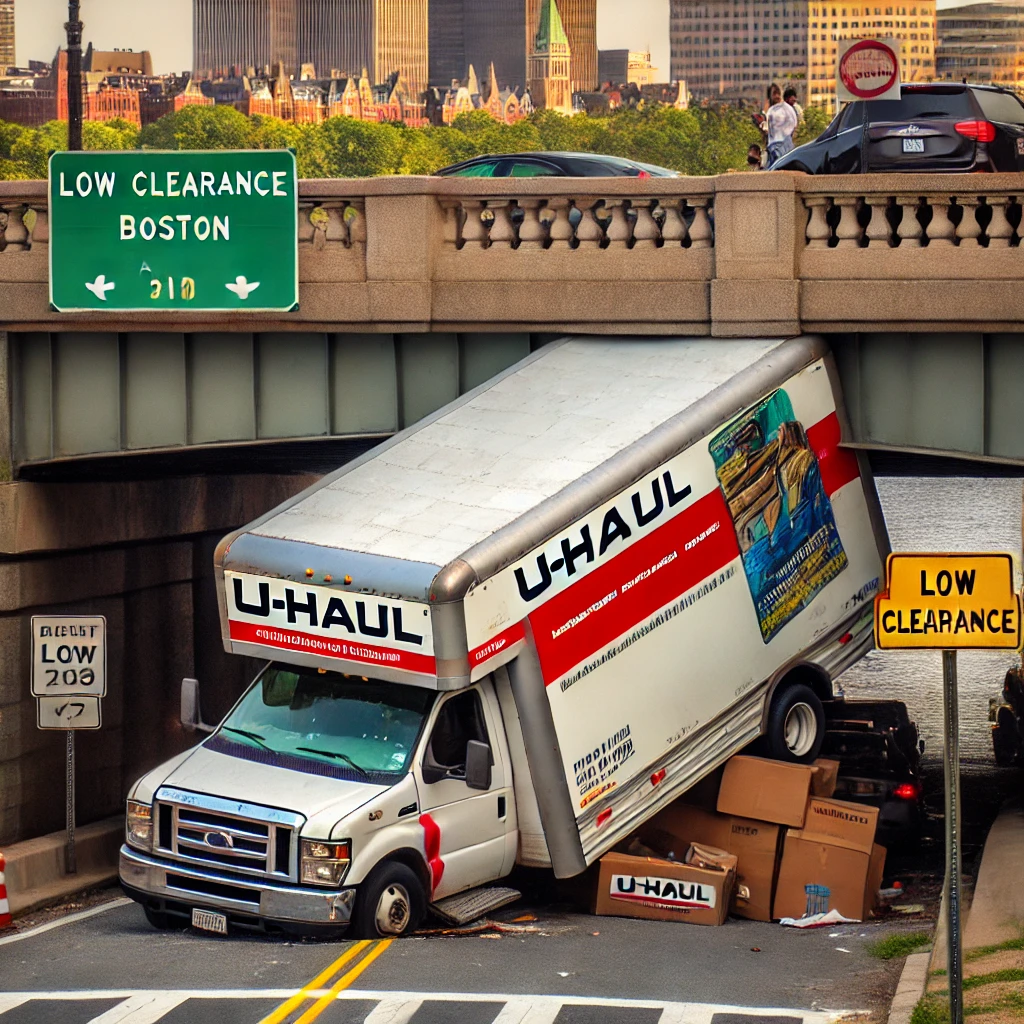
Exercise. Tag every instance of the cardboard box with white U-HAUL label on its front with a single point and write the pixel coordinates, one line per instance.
(662, 890)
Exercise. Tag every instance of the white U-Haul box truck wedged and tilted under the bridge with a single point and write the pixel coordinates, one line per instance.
(516, 631)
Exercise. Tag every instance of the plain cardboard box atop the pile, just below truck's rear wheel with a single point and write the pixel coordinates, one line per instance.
(765, 790)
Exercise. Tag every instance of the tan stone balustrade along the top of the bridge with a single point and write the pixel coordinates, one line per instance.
(731, 255)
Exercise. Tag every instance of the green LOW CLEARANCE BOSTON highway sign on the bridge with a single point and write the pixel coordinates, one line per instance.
(202, 231)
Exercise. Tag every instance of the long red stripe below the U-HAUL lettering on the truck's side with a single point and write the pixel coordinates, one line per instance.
(648, 576)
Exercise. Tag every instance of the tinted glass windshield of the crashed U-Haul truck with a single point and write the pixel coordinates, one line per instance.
(366, 724)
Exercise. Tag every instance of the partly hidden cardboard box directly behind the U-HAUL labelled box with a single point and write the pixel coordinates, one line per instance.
(757, 846)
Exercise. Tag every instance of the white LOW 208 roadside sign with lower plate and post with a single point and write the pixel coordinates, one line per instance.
(69, 679)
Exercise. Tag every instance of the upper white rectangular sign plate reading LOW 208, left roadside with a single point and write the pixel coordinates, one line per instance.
(69, 658)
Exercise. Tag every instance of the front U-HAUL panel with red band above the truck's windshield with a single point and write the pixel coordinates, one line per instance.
(321, 621)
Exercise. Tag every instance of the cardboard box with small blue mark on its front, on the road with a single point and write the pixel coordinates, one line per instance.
(820, 874)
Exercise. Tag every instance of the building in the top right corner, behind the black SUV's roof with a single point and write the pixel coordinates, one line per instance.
(982, 44)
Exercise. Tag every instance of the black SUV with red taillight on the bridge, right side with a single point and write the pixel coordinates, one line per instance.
(932, 127)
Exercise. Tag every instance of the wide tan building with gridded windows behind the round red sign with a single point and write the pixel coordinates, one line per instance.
(730, 51)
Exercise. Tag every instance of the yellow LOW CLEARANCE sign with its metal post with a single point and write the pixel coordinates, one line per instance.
(950, 603)
